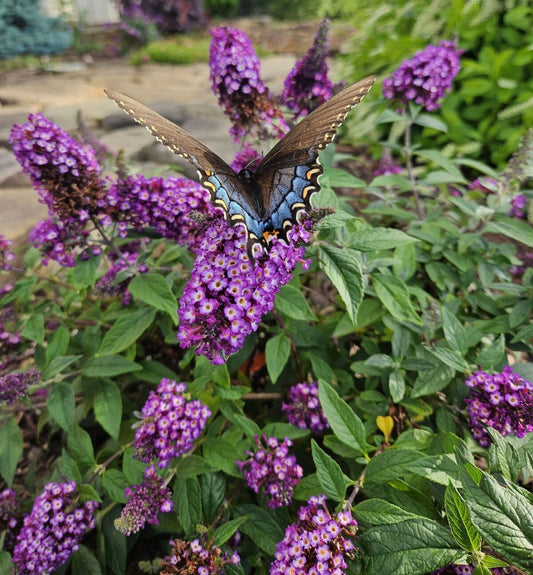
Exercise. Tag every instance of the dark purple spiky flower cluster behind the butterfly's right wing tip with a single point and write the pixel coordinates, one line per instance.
(308, 85)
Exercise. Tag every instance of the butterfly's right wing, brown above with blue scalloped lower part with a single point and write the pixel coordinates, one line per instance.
(288, 175)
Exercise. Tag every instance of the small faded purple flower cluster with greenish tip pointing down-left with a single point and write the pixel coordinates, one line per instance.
(144, 502)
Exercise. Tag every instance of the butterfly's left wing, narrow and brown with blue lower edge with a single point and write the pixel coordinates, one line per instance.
(224, 186)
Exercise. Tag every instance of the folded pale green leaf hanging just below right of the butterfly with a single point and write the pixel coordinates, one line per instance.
(344, 271)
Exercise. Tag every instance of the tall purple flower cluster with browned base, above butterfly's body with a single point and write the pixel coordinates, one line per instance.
(235, 78)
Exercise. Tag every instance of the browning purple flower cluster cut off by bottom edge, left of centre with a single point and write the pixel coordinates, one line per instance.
(198, 556)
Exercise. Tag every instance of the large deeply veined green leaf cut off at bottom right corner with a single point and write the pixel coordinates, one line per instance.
(503, 516)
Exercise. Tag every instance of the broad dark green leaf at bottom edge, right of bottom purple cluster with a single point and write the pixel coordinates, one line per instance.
(413, 546)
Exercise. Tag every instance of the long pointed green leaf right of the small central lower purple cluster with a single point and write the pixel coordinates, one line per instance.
(344, 423)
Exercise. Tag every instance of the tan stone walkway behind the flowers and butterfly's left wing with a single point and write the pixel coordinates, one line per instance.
(181, 93)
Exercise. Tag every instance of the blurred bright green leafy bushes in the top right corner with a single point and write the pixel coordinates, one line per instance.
(491, 105)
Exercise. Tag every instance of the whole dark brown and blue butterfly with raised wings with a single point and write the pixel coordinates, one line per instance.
(268, 200)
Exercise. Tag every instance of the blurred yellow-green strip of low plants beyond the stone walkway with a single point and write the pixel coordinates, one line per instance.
(177, 50)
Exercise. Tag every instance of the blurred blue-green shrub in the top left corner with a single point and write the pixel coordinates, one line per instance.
(25, 30)
